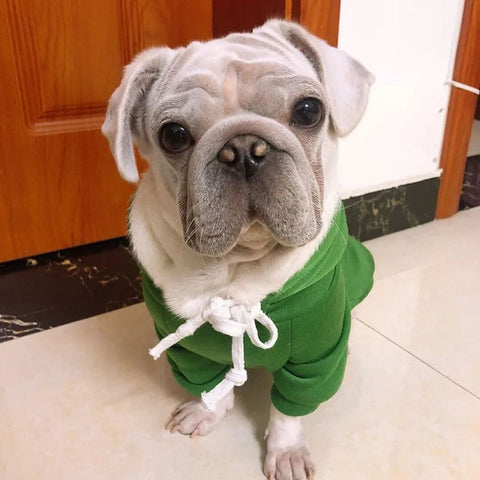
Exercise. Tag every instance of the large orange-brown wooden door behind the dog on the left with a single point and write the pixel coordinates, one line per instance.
(60, 61)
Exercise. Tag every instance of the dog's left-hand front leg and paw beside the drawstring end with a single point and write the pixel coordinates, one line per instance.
(194, 419)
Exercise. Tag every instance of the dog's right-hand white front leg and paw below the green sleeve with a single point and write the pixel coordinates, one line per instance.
(288, 456)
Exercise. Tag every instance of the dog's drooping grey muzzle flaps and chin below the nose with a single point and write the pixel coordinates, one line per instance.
(272, 209)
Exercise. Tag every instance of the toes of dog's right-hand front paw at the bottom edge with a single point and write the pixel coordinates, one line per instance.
(291, 464)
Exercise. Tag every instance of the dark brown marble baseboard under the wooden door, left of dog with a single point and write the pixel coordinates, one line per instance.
(58, 288)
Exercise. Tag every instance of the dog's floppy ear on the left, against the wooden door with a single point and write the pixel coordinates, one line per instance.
(125, 103)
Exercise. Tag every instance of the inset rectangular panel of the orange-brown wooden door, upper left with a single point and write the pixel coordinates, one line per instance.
(57, 95)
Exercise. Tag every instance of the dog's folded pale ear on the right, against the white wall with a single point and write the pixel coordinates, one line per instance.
(347, 81)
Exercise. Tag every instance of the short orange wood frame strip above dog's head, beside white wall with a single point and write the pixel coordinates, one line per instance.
(322, 18)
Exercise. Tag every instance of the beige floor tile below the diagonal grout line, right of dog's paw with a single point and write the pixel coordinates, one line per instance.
(395, 418)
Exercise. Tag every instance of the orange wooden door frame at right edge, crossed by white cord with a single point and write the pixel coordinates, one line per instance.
(461, 111)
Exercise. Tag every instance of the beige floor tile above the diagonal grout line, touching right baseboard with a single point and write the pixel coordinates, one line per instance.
(426, 295)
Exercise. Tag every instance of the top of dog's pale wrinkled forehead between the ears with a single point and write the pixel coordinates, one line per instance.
(239, 57)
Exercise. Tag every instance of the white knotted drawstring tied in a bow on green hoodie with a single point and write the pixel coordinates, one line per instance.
(231, 319)
